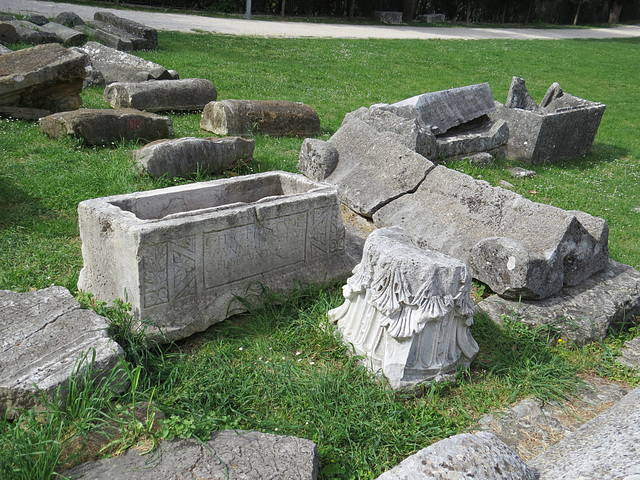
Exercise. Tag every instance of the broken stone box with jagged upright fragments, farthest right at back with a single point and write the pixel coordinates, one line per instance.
(565, 127)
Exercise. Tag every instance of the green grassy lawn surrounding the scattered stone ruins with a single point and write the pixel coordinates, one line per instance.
(278, 368)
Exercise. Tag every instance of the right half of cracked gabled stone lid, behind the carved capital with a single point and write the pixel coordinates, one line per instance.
(520, 248)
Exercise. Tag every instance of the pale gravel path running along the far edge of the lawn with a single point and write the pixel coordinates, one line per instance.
(261, 28)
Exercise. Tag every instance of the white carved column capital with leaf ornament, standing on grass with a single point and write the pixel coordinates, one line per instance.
(408, 311)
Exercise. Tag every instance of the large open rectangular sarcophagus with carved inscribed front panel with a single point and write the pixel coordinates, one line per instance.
(185, 256)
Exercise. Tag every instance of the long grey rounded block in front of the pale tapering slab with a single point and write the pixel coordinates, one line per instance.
(162, 95)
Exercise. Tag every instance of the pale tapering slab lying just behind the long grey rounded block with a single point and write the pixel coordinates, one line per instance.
(117, 66)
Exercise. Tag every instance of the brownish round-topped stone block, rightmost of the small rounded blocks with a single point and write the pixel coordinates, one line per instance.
(270, 117)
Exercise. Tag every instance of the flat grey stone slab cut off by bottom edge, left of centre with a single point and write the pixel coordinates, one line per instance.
(228, 455)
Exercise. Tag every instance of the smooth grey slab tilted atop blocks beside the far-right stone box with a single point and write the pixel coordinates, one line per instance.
(445, 109)
